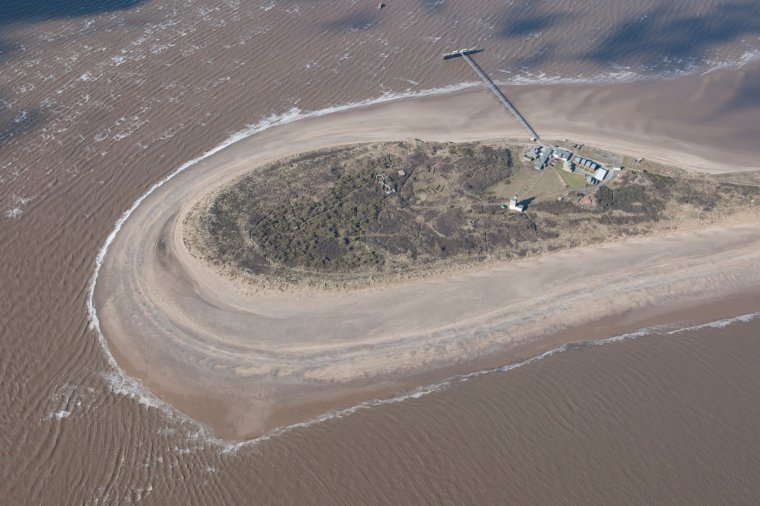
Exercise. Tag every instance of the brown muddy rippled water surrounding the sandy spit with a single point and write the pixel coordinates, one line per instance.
(98, 100)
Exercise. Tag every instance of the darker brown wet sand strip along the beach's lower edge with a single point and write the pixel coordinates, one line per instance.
(648, 323)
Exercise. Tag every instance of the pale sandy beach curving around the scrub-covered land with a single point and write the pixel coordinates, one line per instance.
(246, 362)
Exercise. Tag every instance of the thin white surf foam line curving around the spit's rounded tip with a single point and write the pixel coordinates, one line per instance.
(121, 383)
